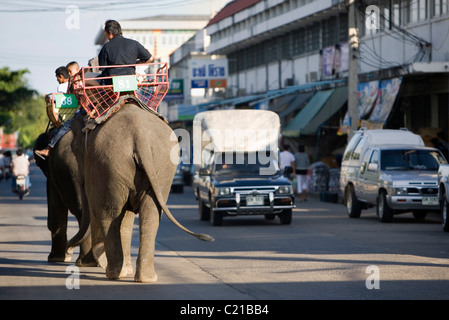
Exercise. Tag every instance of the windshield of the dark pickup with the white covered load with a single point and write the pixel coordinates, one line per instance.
(244, 164)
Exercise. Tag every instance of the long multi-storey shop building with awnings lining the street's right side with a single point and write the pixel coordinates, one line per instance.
(288, 54)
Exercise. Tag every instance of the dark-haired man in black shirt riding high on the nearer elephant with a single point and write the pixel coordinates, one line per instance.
(120, 51)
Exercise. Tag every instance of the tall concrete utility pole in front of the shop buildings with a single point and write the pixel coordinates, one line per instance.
(353, 70)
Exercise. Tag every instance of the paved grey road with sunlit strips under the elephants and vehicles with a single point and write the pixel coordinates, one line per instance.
(322, 255)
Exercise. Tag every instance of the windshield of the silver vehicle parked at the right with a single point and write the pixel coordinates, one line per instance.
(411, 159)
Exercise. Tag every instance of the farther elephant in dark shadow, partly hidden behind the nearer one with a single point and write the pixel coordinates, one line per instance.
(63, 195)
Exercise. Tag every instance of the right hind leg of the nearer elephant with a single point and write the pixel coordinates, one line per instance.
(149, 217)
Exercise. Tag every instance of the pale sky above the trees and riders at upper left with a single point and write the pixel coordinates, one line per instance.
(41, 35)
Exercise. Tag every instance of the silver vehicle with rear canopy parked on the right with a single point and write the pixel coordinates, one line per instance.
(390, 169)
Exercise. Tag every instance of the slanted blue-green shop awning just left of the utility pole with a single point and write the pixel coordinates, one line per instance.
(322, 106)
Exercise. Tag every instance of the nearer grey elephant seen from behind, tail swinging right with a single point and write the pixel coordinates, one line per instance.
(126, 166)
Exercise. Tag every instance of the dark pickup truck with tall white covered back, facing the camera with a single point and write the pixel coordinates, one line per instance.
(237, 172)
